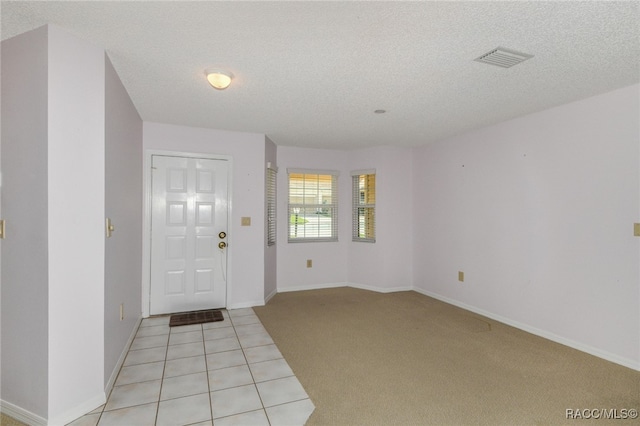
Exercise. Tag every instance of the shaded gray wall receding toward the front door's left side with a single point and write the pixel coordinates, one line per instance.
(123, 205)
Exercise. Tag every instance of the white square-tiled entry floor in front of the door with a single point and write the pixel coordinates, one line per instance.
(220, 373)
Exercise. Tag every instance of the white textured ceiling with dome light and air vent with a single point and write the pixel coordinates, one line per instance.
(311, 74)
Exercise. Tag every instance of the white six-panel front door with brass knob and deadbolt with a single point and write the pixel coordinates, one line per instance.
(188, 227)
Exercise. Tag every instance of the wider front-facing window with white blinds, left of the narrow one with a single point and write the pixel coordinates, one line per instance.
(313, 205)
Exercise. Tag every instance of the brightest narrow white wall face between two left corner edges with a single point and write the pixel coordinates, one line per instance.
(76, 182)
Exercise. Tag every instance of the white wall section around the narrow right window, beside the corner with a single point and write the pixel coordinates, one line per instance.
(385, 265)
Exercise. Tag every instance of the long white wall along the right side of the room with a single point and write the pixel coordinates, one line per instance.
(538, 212)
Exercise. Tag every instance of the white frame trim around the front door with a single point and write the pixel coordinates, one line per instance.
(146, 220)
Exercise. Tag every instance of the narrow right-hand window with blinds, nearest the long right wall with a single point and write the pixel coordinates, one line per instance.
(364, 206)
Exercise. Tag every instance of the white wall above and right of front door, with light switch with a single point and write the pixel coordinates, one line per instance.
(246, 243)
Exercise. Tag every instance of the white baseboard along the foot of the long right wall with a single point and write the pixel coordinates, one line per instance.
(538, 332)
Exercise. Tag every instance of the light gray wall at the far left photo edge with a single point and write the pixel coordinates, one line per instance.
(24, 207)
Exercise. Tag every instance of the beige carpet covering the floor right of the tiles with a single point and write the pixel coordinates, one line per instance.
(406, 359)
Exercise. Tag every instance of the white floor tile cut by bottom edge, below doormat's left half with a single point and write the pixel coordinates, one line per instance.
(184, 411)
